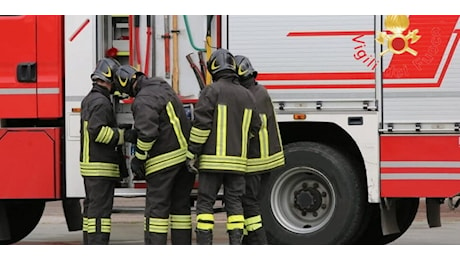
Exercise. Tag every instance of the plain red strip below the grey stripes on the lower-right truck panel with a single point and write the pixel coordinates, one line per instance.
(420, 188)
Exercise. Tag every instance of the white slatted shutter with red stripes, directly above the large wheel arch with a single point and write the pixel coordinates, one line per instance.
(325, 46)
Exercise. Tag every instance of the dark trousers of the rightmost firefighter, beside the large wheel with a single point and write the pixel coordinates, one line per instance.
(254, 230)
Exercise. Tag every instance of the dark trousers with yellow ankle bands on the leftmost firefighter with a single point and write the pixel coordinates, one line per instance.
(97, 210)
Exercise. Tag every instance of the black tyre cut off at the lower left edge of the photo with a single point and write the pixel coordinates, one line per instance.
(22, 216)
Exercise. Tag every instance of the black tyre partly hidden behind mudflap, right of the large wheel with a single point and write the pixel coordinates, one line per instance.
(406, 210)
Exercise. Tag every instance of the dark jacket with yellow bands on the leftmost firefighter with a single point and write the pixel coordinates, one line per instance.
(99, 135)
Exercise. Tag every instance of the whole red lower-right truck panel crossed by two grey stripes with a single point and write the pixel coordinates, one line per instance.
(420, 165)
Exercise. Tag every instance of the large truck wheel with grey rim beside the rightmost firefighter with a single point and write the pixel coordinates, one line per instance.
(318, 197)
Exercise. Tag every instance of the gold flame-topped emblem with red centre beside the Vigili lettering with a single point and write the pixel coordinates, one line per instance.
(397, 42)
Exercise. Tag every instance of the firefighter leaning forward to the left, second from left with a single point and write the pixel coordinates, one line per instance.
(162, 133)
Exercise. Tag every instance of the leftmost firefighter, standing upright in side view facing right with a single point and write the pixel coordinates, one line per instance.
(99, 158)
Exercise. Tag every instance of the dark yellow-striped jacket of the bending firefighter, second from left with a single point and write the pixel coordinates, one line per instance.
(162, 133)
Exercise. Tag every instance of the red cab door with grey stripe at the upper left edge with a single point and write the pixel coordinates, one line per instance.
(18, 45)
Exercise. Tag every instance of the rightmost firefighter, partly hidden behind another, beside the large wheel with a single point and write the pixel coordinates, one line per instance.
(265, 152)
